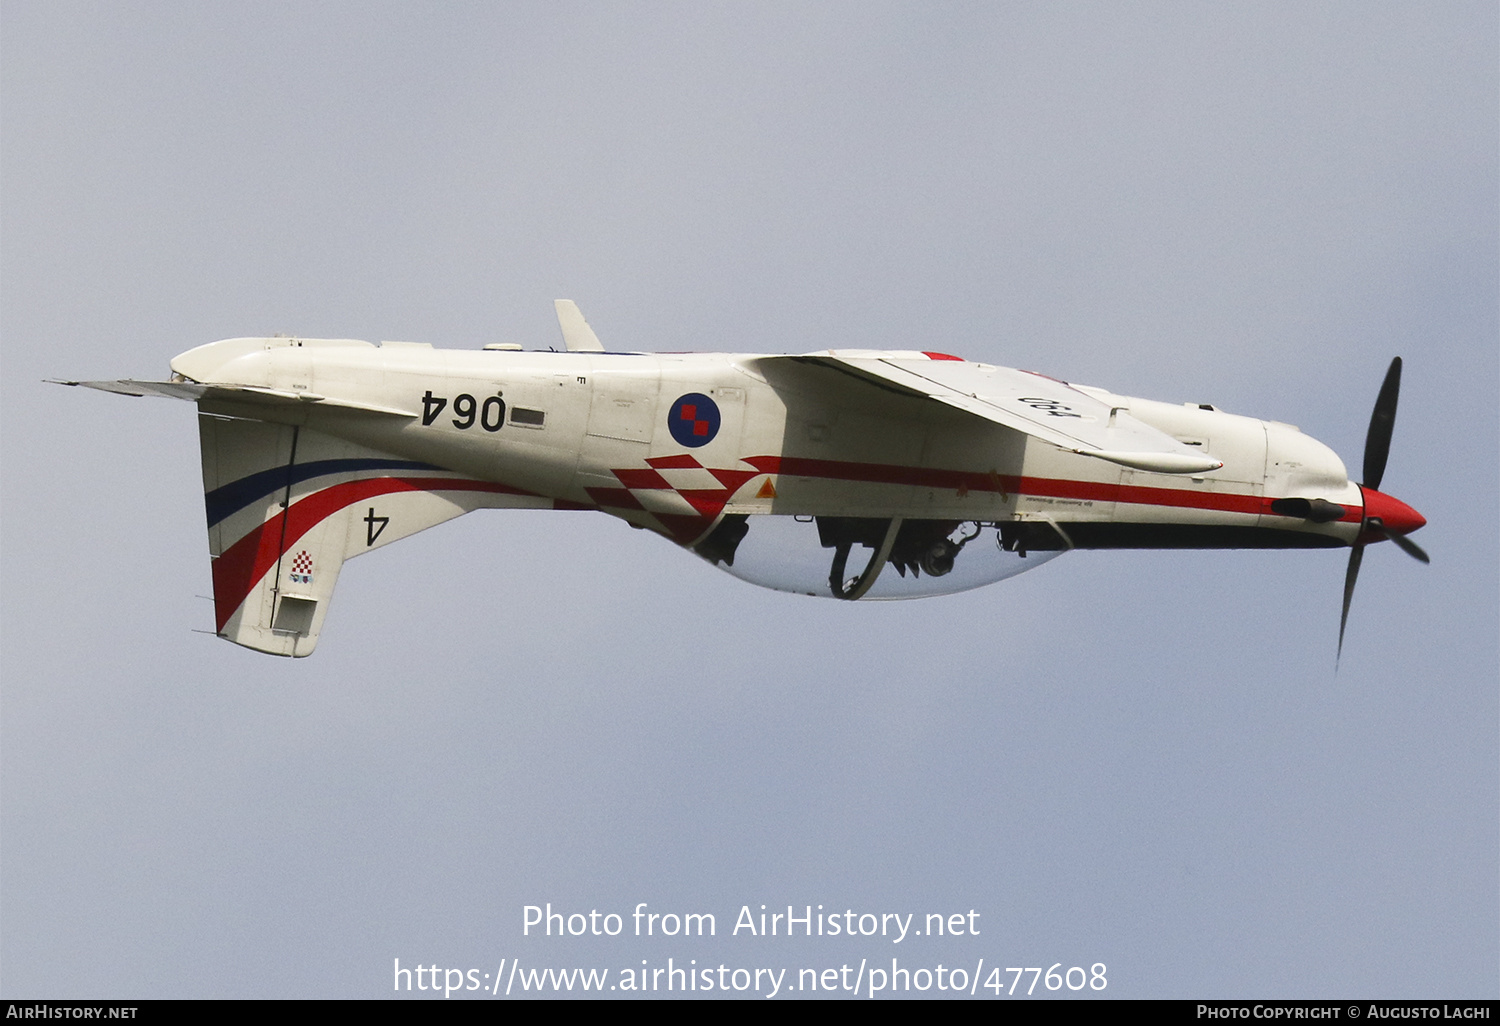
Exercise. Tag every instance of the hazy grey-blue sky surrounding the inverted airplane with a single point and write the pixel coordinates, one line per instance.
(1142, 760)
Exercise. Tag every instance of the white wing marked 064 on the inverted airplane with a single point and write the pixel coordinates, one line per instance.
(1030, 403)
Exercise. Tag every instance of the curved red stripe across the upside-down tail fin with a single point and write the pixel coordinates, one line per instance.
(253, 557)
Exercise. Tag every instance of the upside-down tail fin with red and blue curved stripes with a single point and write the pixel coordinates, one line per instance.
(287, 506)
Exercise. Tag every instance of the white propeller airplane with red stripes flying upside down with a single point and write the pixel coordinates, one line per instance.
(854, 475)
